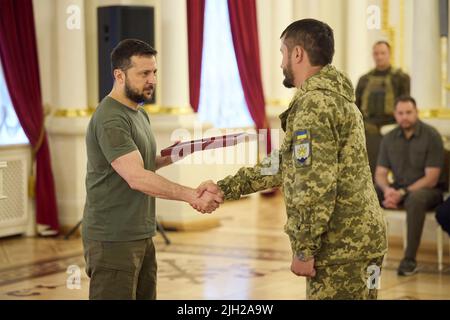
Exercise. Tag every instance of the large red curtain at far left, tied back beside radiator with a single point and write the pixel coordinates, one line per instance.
(18, 53)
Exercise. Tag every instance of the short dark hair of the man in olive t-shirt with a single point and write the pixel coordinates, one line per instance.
(122, 53)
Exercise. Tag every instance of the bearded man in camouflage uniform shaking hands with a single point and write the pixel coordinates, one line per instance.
(335, 224)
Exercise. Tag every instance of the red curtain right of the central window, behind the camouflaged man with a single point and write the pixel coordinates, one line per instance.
(244, 31)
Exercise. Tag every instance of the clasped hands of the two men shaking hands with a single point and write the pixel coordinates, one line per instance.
(208, 197)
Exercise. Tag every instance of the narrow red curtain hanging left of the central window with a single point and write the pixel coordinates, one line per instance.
(195, 20)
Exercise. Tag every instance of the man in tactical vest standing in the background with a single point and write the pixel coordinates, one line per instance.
(376, 93)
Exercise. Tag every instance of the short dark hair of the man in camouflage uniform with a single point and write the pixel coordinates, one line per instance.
(315, 36)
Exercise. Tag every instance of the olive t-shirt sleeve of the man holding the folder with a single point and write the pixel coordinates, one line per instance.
(114, 138)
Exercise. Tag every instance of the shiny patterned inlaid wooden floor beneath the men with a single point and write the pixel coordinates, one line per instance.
(247, 257)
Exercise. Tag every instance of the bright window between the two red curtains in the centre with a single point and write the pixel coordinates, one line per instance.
(222, 100)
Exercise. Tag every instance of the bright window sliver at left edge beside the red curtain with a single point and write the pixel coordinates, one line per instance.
(11, 131)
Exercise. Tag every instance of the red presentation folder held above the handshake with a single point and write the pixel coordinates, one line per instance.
(183, 149)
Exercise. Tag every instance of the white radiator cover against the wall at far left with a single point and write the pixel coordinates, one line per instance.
(15, 217)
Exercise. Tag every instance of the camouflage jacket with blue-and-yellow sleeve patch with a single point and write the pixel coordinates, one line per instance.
(332, 209)
